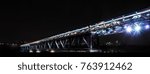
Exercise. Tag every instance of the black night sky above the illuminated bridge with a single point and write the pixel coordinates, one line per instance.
(25, 20)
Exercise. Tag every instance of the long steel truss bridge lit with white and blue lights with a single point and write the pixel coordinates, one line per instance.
(88, 37)
